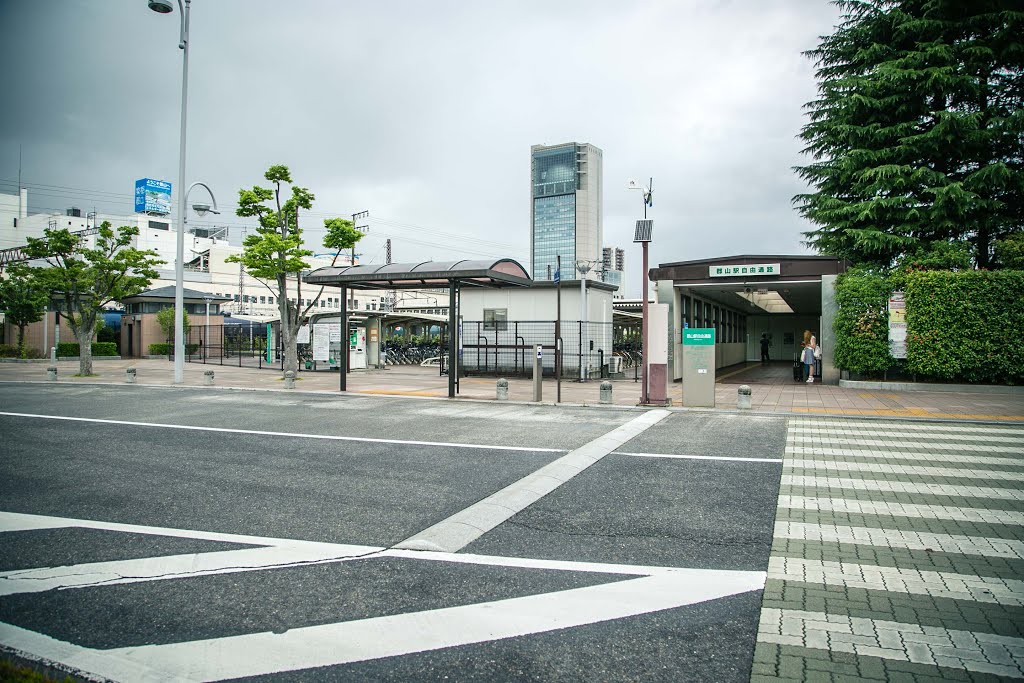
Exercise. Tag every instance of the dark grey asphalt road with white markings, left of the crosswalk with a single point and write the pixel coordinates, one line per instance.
(208, 535)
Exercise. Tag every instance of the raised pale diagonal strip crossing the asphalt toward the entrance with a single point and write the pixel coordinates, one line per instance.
(471, 524)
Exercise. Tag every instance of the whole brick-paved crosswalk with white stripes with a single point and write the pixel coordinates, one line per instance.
(899, 554)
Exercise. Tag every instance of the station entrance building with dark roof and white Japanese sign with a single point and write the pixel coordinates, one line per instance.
(745, 297)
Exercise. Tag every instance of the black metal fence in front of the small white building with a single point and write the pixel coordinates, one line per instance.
(509, 349)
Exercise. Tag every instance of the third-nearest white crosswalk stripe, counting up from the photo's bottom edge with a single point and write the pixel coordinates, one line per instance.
(883, 538)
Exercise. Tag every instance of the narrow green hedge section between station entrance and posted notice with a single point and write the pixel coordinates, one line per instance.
(862, 325)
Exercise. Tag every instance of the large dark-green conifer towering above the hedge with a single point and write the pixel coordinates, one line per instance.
(918, 132)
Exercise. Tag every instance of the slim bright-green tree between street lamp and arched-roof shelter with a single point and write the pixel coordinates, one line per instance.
(276, 253)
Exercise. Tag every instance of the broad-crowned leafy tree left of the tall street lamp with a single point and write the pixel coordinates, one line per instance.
(86, 279)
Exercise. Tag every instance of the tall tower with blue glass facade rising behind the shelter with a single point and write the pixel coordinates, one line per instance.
(567, 215)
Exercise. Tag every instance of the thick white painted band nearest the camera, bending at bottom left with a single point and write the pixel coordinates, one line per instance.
(333, 645)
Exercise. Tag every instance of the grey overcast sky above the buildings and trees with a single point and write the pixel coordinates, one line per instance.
(424, 112)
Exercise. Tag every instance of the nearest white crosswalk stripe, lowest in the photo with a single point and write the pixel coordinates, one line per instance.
(984, 653)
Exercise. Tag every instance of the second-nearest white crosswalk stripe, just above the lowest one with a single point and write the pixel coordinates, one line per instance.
(874, 578)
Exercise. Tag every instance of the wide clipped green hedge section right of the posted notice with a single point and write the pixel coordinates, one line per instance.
(966, 326)
